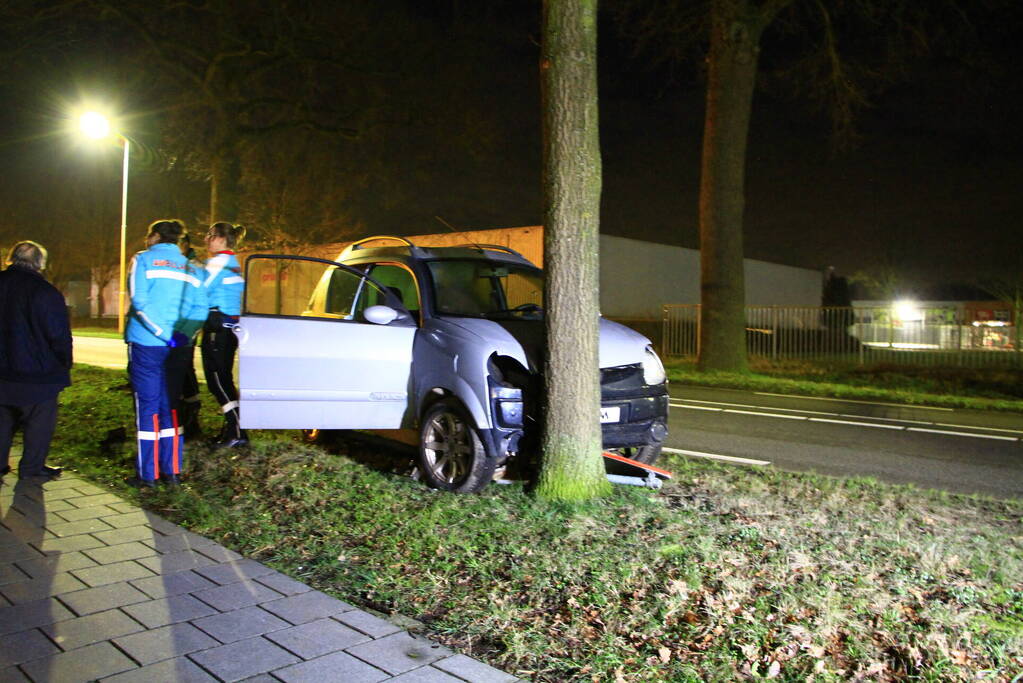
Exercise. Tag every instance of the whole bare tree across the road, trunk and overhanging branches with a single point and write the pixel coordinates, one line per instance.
(836, 55)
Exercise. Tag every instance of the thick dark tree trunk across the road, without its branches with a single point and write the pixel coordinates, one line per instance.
(733, 68)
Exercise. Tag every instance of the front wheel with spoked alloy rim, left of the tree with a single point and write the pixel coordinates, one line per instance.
(452, 453)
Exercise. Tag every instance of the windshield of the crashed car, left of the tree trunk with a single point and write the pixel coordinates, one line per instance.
(487, 290)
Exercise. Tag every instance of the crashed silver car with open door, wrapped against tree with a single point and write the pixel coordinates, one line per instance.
(444, 341)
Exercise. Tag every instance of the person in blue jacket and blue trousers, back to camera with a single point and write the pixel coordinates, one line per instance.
(168, 305)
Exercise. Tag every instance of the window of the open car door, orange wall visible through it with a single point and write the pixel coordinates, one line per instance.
(285, 287)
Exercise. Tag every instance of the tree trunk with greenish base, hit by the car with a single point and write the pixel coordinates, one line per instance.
(572, 468)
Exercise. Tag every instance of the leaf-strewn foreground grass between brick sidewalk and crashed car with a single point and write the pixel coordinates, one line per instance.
(726, 574)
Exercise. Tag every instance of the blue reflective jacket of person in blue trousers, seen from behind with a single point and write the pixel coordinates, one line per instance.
(167, 297)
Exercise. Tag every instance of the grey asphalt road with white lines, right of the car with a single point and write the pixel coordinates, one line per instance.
(956, 450)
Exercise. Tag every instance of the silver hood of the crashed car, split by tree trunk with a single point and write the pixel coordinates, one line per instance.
(523, 340)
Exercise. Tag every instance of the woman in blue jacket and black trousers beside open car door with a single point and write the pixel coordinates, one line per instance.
(225, 287)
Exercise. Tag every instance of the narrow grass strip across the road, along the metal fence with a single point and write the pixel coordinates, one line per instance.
(948, 388)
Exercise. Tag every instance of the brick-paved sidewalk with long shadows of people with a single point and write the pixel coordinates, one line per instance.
(95, 588)
